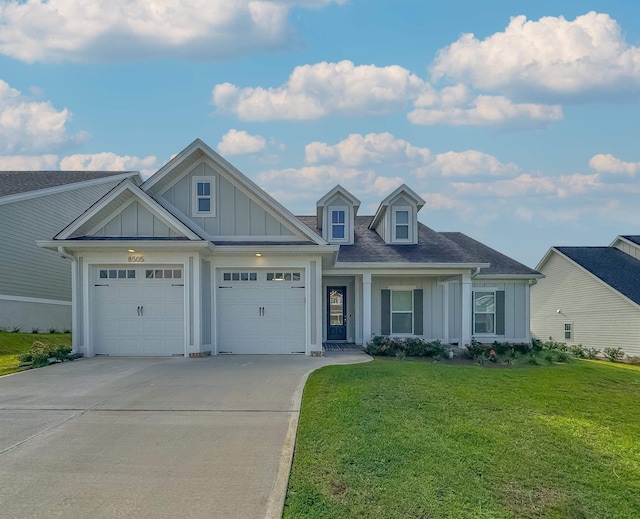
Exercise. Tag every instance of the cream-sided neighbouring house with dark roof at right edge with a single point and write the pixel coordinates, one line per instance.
(590, 296)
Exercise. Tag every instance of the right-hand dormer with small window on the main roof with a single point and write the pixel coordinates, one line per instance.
(396, 220)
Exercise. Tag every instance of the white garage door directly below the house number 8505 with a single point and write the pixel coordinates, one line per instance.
(139, 311)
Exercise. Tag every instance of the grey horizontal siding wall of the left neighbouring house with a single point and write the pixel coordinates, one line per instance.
(27, 270)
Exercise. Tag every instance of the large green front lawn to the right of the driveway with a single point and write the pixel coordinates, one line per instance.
(412, 439)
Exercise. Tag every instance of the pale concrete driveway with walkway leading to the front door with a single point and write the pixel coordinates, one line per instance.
(152, 438)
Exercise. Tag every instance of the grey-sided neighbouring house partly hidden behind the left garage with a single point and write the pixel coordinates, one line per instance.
(35, 285)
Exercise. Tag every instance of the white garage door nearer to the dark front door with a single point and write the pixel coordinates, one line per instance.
(261, 311)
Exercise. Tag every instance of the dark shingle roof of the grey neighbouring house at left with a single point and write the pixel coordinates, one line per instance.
(14, 182)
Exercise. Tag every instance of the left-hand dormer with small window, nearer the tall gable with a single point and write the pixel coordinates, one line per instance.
(336, 212)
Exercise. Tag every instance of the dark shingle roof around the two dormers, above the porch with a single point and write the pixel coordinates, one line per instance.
(432, 247)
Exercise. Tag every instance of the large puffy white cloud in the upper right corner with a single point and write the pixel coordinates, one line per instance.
(550, 56)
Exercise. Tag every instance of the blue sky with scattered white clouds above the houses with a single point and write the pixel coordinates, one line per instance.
(518, 122)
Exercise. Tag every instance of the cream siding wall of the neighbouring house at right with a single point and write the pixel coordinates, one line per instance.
(600, 317)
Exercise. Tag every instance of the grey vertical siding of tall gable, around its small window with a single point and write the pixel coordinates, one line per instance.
(235, 213)
